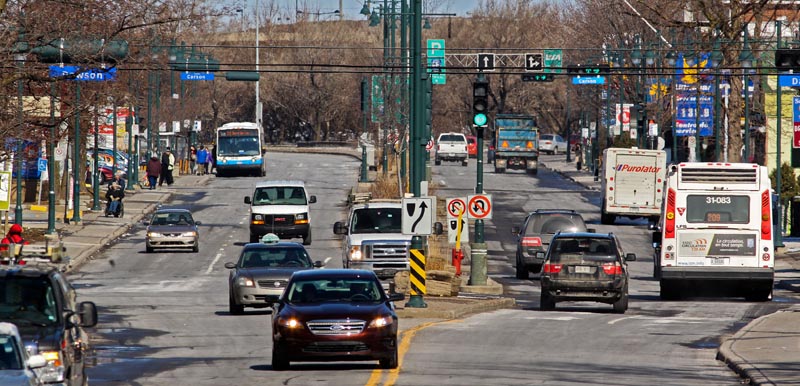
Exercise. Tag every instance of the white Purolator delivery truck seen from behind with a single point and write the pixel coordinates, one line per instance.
(633, 184)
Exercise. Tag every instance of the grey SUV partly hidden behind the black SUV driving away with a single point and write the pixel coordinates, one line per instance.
(534, 236)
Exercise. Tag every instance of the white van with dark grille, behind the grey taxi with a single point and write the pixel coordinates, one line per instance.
(280, 207)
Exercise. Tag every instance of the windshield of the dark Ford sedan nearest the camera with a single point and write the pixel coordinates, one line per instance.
(357, 289)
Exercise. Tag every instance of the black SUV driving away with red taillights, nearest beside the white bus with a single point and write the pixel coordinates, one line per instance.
(585, 267)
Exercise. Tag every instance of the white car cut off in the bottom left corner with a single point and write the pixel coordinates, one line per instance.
(16, 366)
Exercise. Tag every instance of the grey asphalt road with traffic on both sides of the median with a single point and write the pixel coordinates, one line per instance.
(164, 319)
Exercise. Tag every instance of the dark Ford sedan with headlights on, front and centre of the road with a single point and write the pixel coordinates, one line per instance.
(335, 315)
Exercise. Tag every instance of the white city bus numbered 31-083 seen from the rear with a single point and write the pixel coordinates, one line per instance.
(716, 231)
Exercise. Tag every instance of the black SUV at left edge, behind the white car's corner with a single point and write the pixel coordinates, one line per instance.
(42, 304)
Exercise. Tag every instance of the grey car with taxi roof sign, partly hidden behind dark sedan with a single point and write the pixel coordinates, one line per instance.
(259, 276)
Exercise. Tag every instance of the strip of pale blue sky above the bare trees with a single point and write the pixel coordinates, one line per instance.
(353, 7)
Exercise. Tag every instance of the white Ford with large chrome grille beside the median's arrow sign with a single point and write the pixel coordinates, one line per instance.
(374, 239)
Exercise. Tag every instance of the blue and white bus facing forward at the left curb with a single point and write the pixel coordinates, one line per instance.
(240, 149)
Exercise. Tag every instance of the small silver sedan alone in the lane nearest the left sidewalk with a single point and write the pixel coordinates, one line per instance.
(172, 228)
